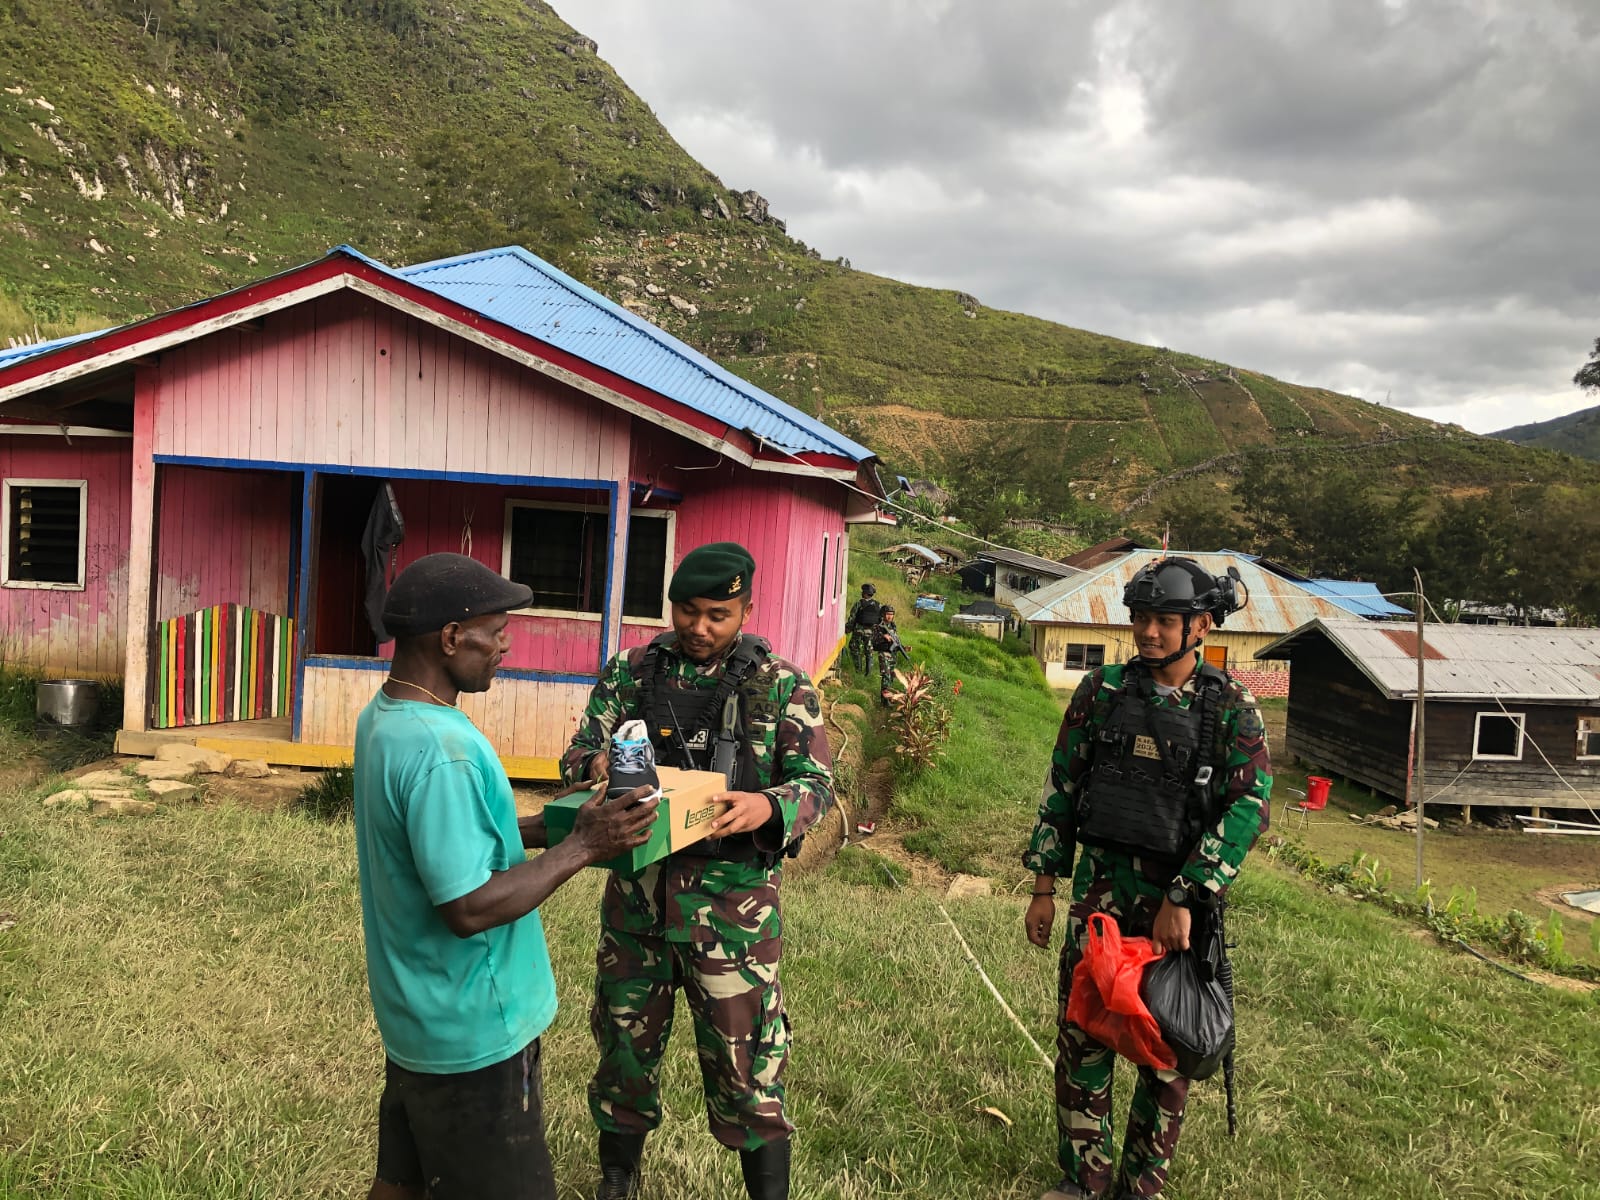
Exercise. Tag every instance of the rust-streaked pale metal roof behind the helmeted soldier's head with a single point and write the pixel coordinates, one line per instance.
(1276, 606)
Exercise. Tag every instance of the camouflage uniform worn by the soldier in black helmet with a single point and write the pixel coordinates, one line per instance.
(1132, 889)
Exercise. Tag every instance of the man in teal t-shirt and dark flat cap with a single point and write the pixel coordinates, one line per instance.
(457, 962)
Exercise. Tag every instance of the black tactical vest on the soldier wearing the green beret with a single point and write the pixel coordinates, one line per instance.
(686, 726)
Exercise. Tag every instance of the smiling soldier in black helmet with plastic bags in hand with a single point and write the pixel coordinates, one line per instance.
(1161, 774)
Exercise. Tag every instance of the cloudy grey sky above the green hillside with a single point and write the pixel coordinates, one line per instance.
(1386, 198)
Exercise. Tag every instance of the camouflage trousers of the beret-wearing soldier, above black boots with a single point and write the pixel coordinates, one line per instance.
(742, 1033)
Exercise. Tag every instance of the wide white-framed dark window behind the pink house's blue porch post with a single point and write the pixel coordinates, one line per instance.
(564, 554)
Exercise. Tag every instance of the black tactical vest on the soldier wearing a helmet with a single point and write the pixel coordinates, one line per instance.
(1156, 770)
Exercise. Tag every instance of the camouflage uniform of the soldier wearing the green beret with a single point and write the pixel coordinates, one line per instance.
(713, 927)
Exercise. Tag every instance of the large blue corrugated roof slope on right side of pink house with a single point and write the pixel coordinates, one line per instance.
(527, 294)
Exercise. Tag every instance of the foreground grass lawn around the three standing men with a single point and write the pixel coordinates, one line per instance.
(183, 1014)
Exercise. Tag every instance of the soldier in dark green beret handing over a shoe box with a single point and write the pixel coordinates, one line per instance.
(708, 918)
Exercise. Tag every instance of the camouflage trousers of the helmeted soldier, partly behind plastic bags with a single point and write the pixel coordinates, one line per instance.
(1084, 1066)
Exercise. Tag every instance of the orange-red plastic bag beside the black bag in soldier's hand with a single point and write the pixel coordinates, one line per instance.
(1106, 1001)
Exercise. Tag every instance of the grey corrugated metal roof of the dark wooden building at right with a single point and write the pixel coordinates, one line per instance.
(1465, 662)
